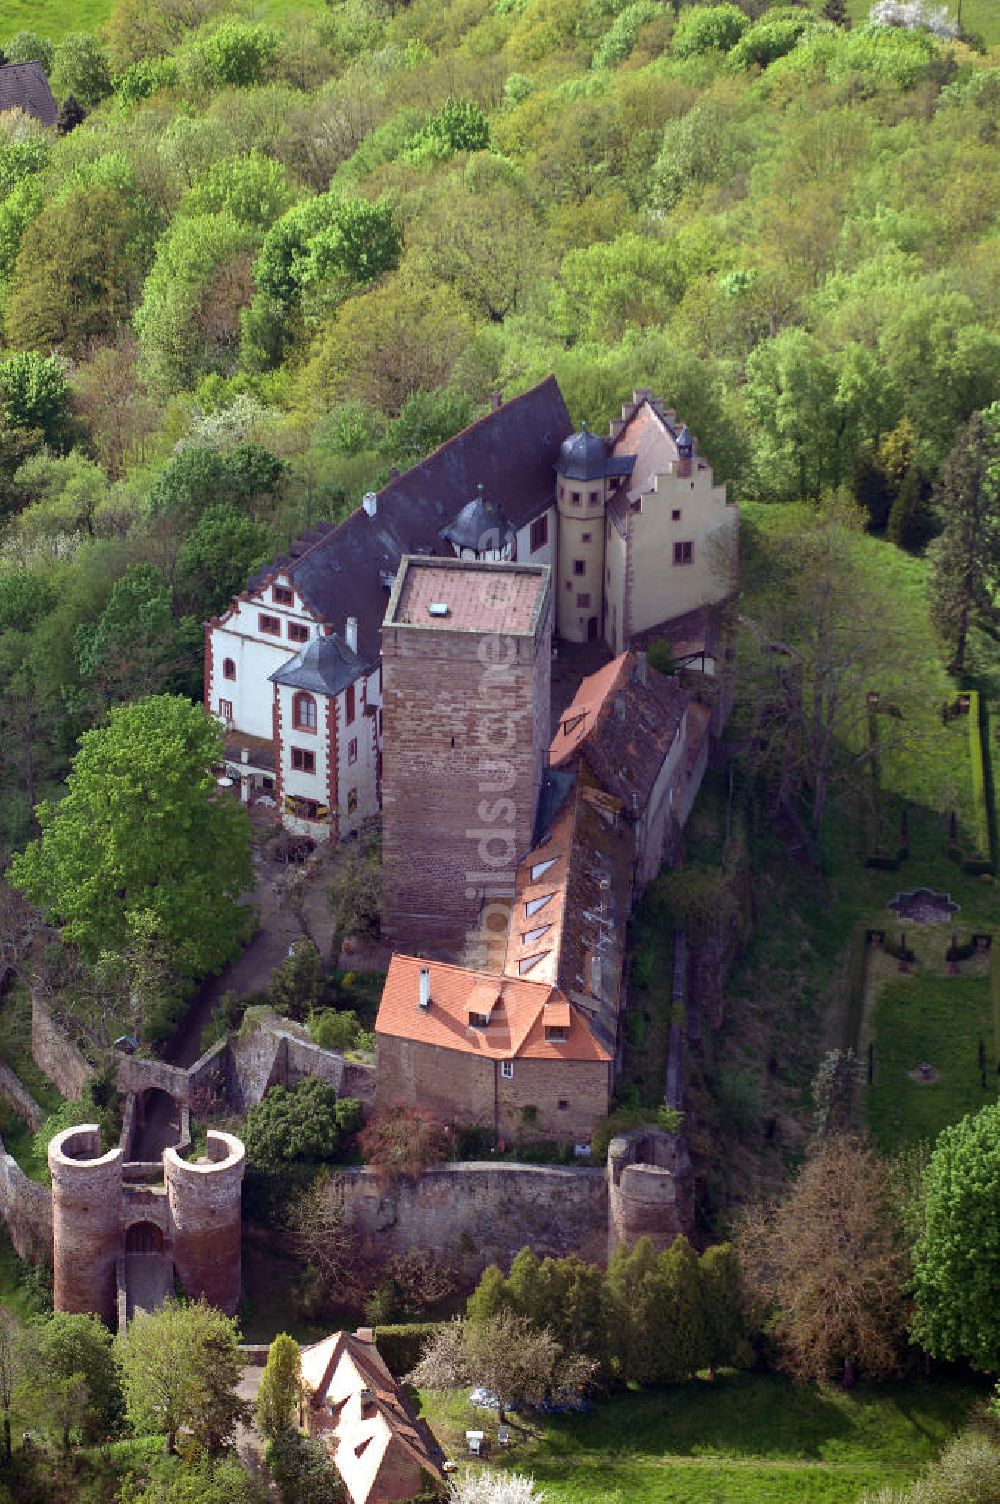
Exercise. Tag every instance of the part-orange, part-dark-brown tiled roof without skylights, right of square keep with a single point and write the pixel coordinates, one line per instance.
(622, 721)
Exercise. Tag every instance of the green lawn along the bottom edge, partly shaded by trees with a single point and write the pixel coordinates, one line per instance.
(745, 1440)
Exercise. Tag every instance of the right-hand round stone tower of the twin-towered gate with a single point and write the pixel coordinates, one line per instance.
(205, 1210)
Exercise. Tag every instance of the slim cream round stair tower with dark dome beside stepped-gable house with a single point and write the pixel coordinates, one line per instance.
(580, 497)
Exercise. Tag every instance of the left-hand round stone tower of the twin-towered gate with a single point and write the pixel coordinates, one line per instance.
(86, 1222)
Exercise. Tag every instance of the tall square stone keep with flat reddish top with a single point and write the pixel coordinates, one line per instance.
(467, 652)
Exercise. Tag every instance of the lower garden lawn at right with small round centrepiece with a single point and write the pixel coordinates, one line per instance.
(941, 1020)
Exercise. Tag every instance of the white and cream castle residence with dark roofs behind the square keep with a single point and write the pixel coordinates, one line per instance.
(632, 527)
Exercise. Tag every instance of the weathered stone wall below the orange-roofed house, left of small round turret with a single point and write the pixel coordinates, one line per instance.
(479, 1214)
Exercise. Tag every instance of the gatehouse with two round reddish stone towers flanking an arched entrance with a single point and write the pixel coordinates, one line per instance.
(124, 1231)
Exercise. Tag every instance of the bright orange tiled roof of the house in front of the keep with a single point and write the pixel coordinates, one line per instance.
(518, 1017)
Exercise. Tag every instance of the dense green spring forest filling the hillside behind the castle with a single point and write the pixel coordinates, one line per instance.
(256, 265)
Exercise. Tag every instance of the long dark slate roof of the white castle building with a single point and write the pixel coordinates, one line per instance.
(348, 571)
